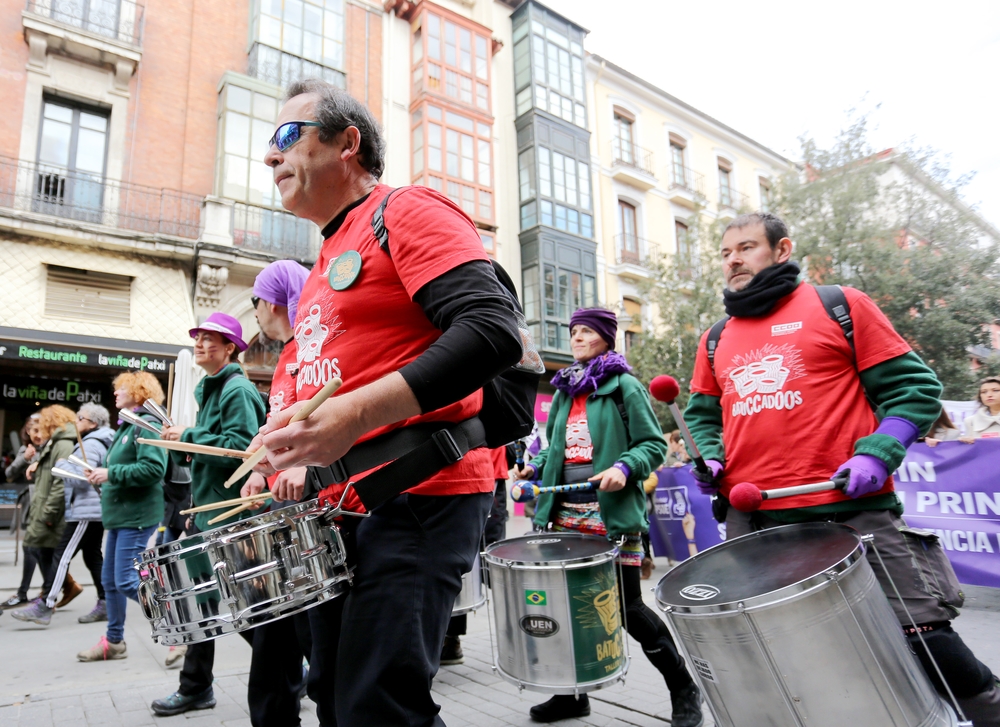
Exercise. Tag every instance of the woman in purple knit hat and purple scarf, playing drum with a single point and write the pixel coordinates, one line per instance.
(602, 429)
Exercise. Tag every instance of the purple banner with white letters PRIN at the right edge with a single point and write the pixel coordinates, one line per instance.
(954, 490)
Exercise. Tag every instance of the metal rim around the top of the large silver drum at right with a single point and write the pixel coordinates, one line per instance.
(773, 598)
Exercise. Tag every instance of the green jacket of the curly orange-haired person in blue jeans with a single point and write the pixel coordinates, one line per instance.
(133, 495)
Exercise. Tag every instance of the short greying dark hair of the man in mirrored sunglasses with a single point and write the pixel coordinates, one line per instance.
(336, 110)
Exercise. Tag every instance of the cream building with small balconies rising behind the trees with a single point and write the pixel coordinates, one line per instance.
(643, 176)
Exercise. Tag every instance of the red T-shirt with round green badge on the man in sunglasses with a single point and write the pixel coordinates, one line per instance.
(373, 327)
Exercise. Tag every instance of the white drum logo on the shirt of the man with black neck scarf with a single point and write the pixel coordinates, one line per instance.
(760, 378)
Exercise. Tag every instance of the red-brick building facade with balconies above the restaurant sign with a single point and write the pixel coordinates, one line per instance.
(133, 196)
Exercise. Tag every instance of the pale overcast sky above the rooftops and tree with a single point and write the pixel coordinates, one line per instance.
(777, 70)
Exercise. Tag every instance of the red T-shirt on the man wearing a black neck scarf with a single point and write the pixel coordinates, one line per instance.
(792, 402)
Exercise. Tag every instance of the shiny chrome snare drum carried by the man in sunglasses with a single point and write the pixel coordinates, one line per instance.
(241, 575)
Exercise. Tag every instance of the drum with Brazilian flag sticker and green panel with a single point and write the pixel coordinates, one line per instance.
(556, 607)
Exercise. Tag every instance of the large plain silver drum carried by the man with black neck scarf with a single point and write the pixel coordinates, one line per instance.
(788, 627)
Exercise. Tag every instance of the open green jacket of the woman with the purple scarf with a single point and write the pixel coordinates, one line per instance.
(642, 448)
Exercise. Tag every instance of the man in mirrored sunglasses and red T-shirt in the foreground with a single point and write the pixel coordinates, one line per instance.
(414, 329)
